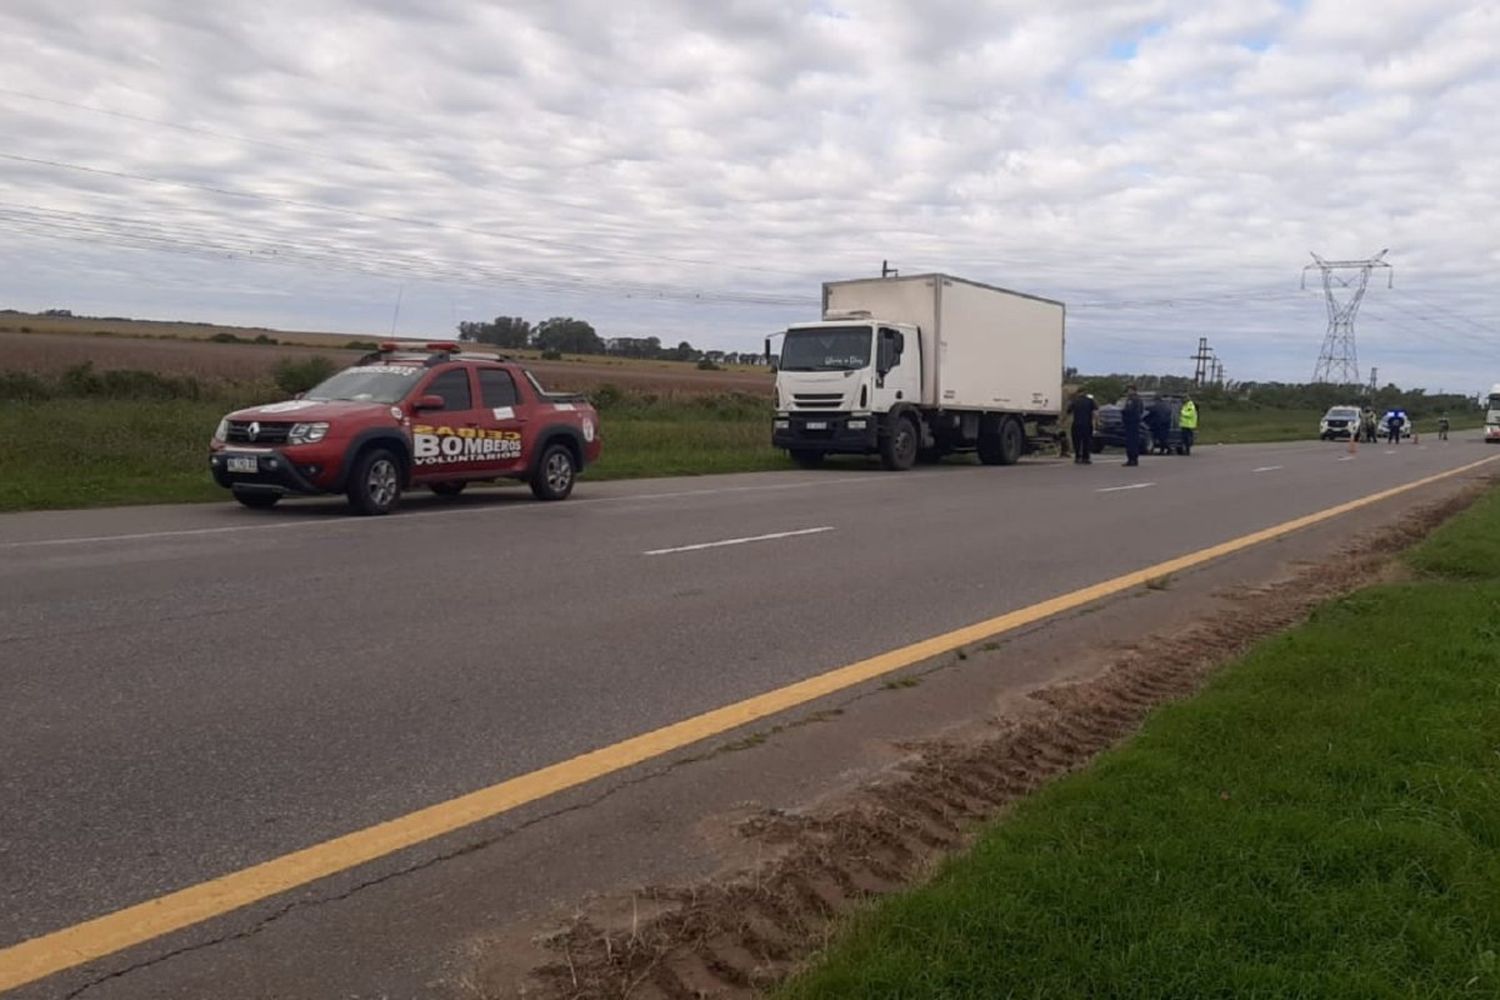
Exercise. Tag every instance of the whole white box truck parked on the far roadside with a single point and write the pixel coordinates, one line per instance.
(916, 368)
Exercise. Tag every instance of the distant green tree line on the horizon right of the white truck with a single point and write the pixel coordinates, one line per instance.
(1279, 395)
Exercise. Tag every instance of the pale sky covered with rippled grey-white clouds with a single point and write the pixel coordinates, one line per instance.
(697, 170)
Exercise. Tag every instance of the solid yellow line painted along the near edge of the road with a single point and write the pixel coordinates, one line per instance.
(103, 936)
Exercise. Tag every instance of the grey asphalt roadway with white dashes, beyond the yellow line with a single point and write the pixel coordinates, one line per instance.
(191, 690)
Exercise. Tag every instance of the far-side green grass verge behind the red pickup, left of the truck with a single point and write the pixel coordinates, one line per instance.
(100, 452)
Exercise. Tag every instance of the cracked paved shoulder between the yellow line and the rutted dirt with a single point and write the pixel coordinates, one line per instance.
(623, 854)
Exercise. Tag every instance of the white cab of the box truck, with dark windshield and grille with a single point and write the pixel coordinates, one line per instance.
(839, 385)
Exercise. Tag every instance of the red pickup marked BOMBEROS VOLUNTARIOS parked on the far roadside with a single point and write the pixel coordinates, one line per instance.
(400, 419)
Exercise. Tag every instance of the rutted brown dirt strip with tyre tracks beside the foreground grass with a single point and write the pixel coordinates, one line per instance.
(740, 932)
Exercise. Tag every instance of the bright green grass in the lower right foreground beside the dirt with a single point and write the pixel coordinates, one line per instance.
(1322, 822)
